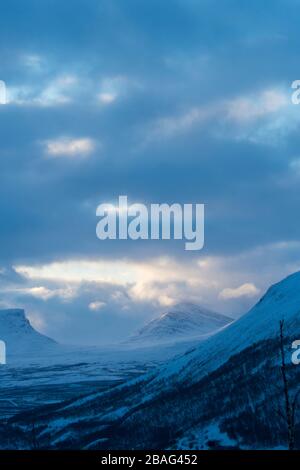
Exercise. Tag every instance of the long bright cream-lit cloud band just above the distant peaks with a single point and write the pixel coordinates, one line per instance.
(162, 281)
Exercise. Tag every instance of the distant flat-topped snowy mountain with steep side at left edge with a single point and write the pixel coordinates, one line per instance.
(20, 337)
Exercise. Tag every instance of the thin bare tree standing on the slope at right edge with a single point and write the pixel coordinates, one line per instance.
(290, 403)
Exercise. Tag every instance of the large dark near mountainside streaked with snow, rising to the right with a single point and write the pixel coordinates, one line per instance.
(223, 392)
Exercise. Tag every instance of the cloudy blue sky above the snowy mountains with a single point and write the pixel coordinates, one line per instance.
(181, 101)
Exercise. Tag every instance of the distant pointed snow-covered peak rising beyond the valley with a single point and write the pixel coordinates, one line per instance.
(184, 320)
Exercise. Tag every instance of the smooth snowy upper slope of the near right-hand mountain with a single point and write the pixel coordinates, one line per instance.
(281, 301)
